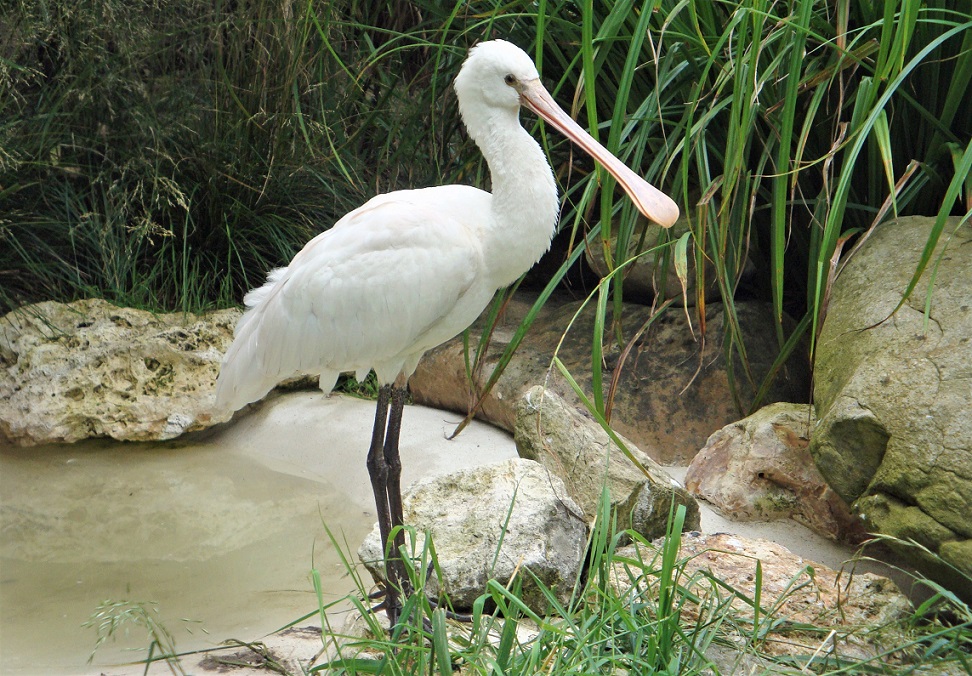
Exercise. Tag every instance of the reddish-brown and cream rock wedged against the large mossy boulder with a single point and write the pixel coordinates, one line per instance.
(760, 469)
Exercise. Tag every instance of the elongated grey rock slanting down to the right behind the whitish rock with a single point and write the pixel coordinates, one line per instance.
(579, 451)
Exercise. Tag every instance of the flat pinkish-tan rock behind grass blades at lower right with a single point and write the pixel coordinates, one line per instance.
(792, 592)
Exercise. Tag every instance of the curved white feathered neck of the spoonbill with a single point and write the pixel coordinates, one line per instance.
(525, 204)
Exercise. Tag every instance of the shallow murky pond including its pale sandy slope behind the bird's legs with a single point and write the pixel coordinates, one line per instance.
(220, 530)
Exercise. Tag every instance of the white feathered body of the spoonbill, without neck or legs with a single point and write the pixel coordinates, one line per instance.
(391, 279)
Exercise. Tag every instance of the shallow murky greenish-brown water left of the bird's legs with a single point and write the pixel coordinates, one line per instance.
(211, 536)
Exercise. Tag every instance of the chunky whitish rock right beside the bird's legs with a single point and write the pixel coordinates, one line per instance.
(469, 516)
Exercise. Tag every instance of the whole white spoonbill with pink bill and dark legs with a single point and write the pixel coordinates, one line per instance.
(411, 269)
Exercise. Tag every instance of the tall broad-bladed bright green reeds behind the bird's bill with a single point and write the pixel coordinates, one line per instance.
(784, 129)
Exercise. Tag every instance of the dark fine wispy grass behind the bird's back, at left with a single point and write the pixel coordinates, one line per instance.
(168, 155)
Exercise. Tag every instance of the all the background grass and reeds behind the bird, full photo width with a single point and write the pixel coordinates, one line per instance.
(167, 153)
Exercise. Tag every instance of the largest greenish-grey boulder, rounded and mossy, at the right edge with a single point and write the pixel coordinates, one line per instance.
(894, 397)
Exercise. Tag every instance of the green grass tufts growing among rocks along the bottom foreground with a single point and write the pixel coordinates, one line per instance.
(628, 613)
